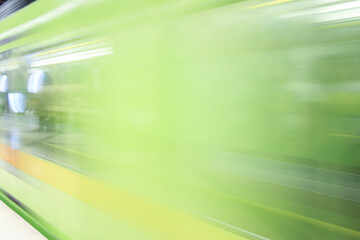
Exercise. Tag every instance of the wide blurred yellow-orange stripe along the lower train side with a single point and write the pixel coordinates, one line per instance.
(159, 220)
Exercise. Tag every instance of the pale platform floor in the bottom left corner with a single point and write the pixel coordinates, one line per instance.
(14, 227)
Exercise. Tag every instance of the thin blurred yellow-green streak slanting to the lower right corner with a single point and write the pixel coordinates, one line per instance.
(317, 222)
